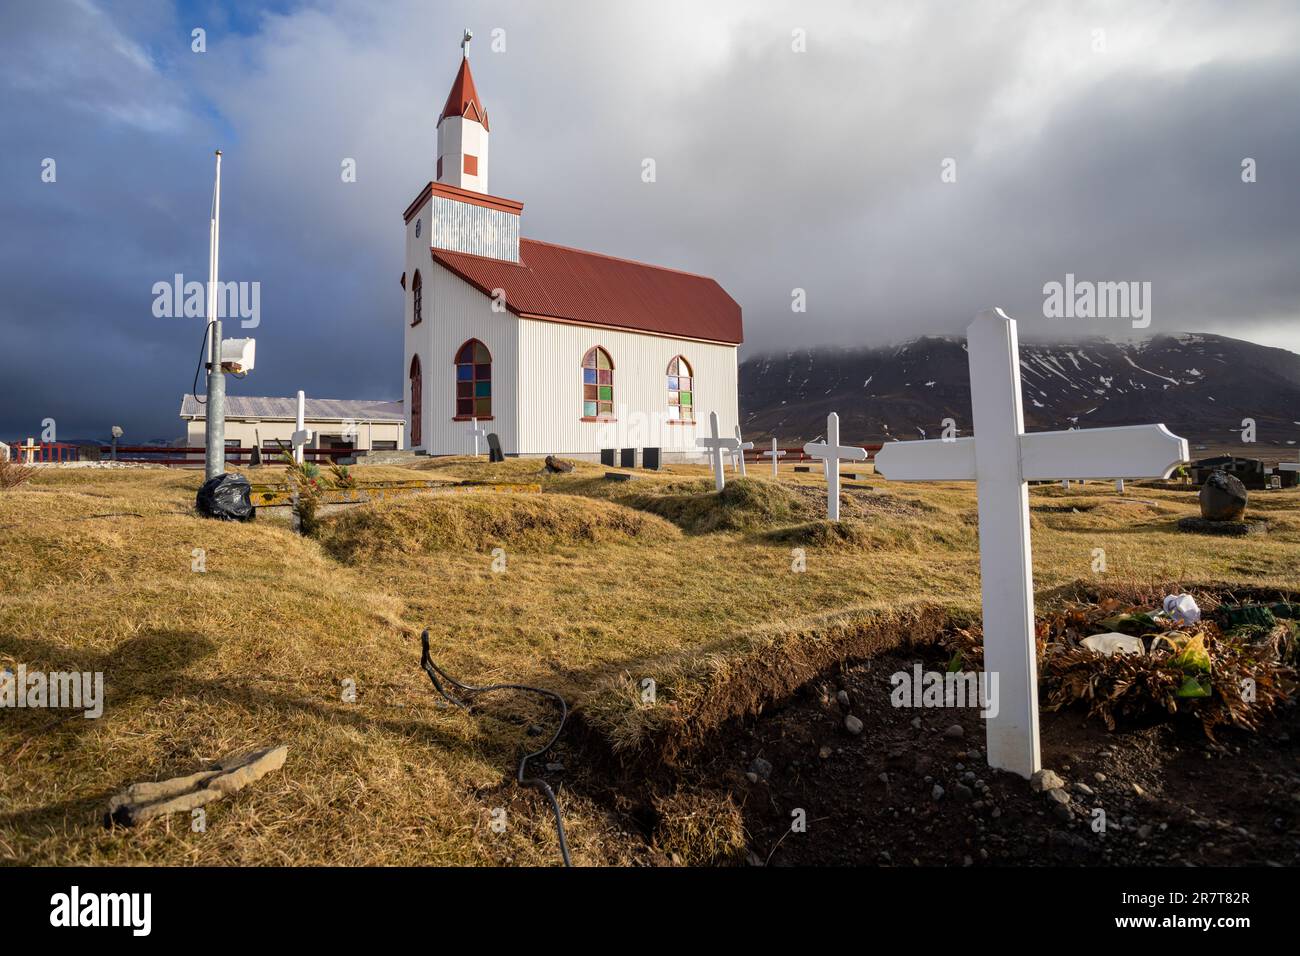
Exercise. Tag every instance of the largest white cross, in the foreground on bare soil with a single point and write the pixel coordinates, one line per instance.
(1002, 458)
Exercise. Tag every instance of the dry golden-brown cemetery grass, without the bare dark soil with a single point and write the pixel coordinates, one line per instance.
(96, 574)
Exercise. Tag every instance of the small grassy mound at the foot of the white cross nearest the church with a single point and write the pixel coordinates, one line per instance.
(746, 504)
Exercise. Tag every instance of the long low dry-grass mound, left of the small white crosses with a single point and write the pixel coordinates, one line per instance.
(482, 522)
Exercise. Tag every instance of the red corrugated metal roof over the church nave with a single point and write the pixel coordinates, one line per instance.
(592, 289)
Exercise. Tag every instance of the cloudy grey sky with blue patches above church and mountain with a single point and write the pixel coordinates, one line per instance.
(775, 171)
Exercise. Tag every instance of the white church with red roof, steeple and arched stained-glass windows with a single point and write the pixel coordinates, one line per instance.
(556, 351)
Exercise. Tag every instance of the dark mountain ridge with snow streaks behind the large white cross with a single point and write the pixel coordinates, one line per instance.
(1202, 386)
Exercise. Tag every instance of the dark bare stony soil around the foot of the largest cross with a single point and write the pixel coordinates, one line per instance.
(1169, 795)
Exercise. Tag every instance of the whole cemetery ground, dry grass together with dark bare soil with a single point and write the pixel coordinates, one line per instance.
(749, 642)
